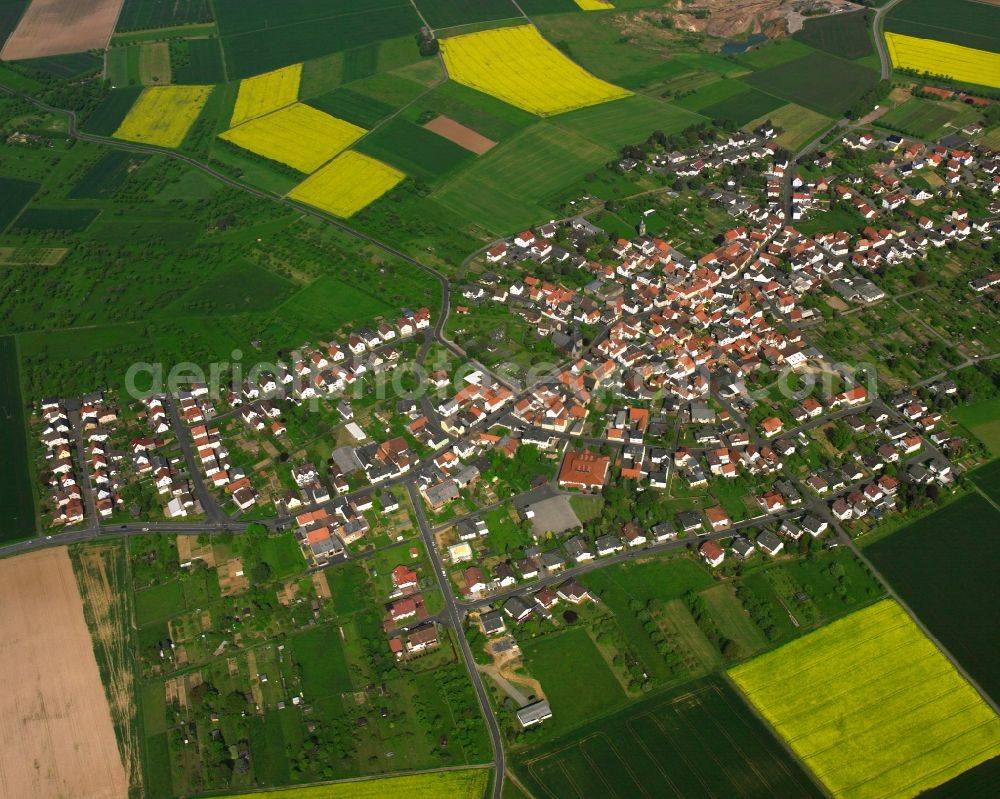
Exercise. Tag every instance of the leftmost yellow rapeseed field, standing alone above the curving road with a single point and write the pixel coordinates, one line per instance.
(163, 114)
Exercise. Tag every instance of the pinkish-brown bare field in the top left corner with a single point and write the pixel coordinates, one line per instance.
(55, 27)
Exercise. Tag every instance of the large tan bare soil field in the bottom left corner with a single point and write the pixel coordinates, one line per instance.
(57, 740)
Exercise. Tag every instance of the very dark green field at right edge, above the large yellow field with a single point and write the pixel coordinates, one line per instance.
(922, 555)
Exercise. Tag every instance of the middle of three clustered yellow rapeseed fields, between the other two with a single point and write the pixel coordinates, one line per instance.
(298, 135)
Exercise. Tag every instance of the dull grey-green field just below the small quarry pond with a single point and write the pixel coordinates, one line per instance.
(818, 81)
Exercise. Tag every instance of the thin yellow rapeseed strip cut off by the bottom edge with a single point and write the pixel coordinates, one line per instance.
(467, 784)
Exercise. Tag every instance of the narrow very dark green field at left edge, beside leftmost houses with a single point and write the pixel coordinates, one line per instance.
(17, 507)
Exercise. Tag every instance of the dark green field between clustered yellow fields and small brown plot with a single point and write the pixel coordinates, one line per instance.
(414, 150)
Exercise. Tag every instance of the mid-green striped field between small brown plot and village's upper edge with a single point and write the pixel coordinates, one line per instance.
(507, 188)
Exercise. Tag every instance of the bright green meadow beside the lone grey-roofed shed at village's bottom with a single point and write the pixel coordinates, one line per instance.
(562, 663)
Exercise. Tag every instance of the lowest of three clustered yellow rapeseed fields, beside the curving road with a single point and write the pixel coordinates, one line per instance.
(347, 184)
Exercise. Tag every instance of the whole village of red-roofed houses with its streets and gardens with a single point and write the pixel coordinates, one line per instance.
(691, 381)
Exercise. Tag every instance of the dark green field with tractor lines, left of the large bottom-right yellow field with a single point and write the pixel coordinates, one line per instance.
(697, 740)
